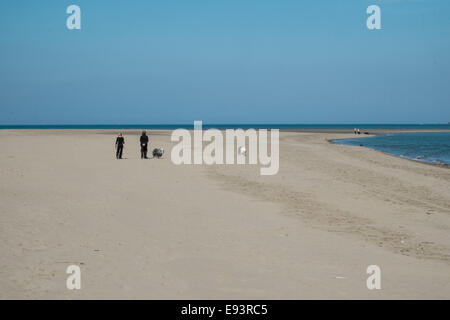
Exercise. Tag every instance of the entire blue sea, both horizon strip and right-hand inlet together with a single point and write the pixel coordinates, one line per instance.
(432, 147)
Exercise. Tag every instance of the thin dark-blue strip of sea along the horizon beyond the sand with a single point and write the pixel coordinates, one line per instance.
(364, 127)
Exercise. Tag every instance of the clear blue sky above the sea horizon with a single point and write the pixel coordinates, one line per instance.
(260, 61)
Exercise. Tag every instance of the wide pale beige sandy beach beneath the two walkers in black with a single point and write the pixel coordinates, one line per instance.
(150, 229)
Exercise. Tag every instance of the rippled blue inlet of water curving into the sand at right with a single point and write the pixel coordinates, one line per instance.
(431, 147)
